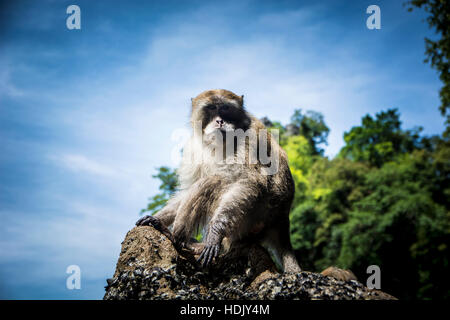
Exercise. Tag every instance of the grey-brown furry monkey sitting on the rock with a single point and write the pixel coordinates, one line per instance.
(232, 192)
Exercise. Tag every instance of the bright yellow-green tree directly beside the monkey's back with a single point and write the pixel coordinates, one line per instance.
(333, 187)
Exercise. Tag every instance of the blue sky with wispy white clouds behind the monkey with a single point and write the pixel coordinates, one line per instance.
(86, 115)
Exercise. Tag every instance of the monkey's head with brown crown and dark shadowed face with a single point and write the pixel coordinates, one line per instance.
(219, 110)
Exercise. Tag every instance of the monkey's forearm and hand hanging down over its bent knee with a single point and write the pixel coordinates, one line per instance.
(228, 219)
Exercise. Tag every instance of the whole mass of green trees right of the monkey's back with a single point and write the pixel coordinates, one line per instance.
(387, 206)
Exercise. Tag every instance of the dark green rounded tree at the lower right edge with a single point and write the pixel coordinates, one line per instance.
(400, 226)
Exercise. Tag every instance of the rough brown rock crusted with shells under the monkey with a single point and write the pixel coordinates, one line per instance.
(149, 267)
